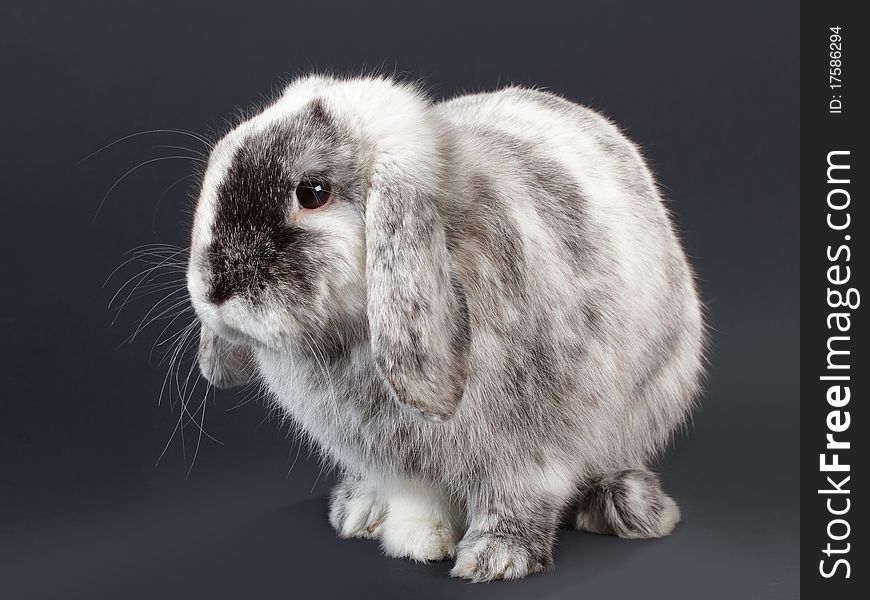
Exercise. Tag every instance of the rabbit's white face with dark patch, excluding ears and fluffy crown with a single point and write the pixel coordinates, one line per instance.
(277, 250)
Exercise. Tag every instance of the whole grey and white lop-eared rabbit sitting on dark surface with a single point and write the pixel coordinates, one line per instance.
(478, 309)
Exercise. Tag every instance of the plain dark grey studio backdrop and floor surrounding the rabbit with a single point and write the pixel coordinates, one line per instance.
(709, 89)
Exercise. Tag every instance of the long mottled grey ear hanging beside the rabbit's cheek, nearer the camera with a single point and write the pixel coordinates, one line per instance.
(416, 309)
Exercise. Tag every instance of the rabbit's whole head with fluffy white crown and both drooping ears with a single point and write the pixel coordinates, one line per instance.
(318, 228)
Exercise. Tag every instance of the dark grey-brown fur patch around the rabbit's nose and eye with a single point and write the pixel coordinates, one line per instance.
(257, 251)
